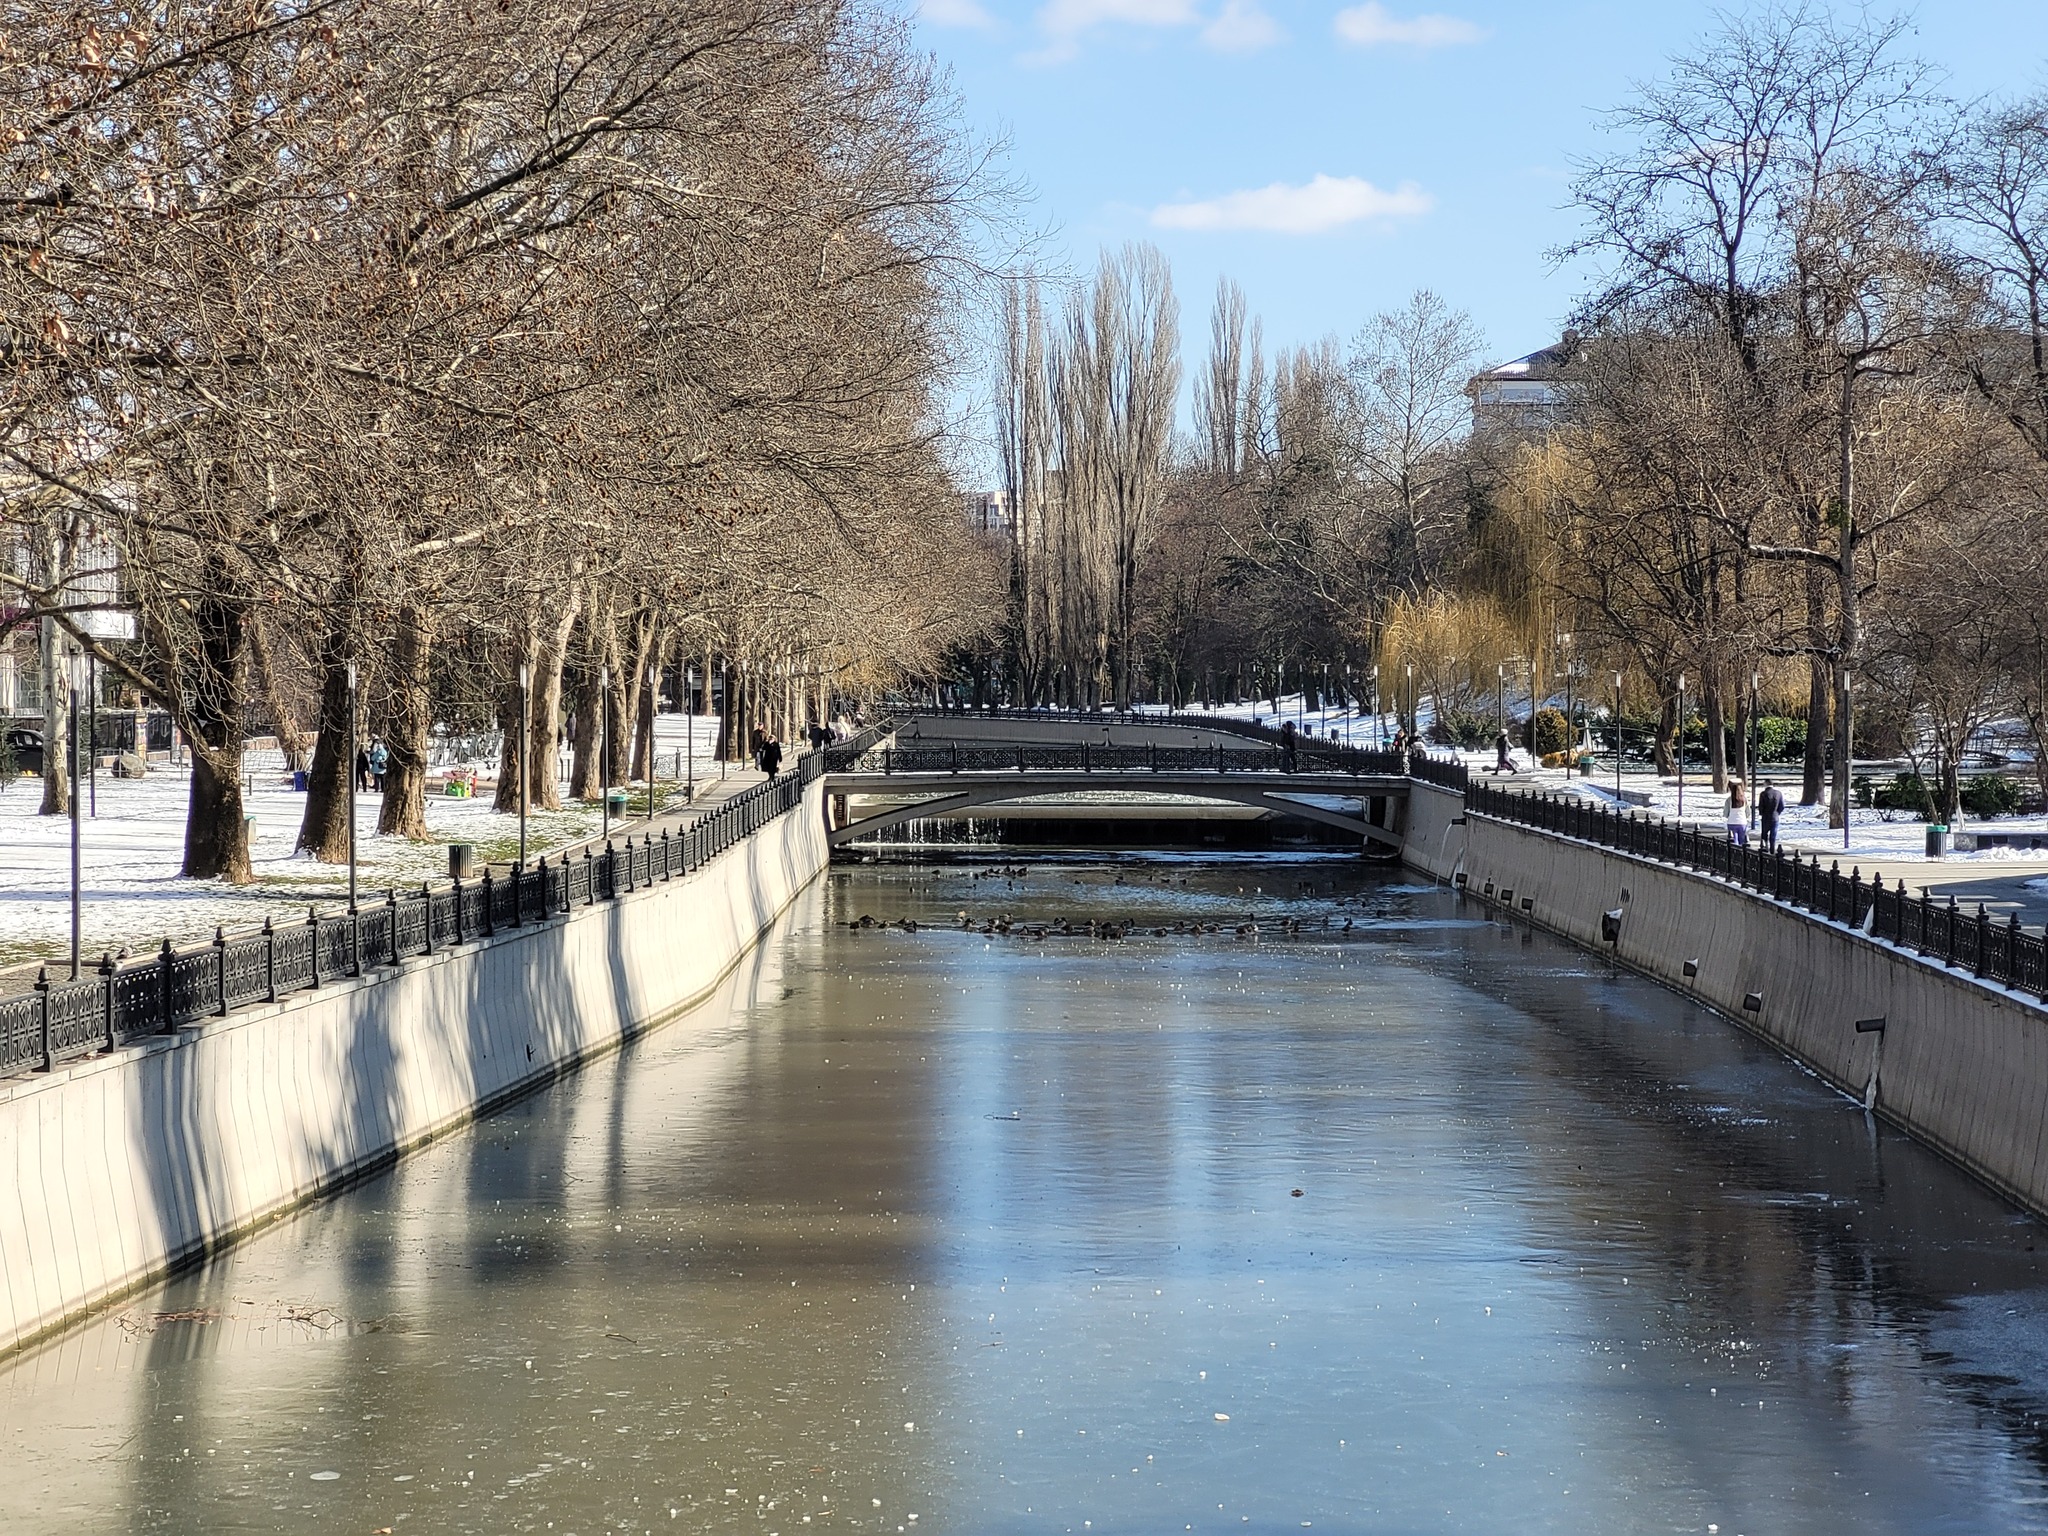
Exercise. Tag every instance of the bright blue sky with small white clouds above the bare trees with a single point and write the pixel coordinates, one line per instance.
(1334, 159)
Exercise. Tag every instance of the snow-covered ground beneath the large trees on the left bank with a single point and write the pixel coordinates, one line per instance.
(130, 853)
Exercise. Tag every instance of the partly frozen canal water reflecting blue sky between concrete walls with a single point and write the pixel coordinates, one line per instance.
(1418, 1228)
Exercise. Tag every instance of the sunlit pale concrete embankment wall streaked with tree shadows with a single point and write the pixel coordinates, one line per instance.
(118, 1168)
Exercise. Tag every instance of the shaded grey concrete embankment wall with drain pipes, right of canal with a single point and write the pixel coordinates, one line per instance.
(1961, 1064)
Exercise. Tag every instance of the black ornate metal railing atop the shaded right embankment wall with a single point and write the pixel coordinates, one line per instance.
(1943, 931)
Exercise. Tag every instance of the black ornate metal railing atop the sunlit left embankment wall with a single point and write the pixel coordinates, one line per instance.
(58, 1021)
